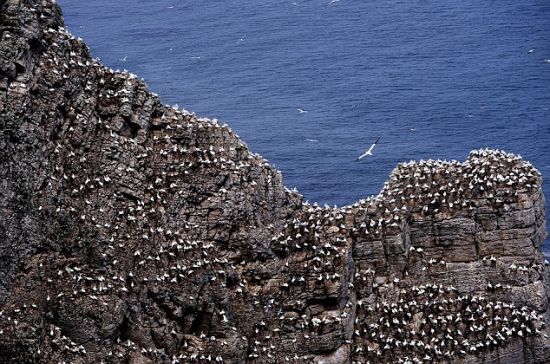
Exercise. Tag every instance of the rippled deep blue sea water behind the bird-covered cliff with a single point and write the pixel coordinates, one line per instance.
(434, 79)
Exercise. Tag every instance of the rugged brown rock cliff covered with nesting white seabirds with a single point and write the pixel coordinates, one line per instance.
(134, 232)
